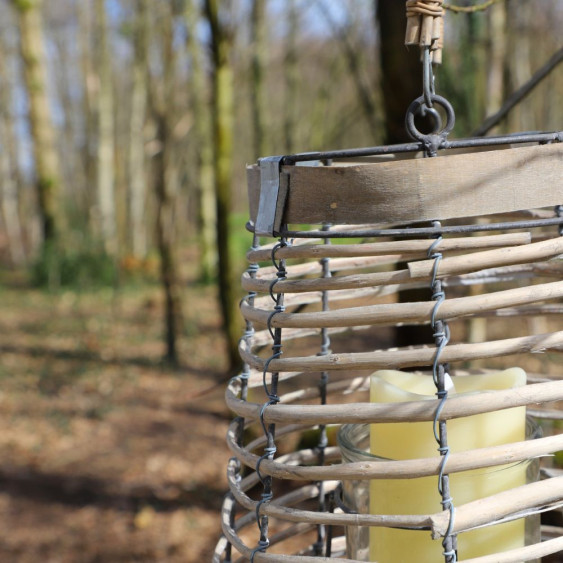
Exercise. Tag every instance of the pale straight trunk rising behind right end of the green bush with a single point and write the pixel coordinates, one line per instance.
(105, 151)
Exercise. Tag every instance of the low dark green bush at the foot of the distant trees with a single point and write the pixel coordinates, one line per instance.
(79, 268)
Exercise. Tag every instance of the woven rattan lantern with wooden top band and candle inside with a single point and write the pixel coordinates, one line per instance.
(338, 237)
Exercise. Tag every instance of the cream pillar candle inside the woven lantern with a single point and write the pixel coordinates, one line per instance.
(420, 496)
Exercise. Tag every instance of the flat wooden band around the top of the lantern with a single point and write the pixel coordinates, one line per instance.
(464, 185)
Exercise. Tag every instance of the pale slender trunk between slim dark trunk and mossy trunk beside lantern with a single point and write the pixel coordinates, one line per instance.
(207, 218)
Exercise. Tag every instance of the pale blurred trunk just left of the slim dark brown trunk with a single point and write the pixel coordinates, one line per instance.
(136, 160)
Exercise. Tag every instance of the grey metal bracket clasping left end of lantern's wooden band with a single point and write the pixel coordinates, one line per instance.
(273, 193)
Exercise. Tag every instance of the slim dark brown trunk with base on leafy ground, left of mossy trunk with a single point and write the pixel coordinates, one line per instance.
(166, 187)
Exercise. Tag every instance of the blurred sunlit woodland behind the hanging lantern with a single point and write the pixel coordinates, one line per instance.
(125, 126)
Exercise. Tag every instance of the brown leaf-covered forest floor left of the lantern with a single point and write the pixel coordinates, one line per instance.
(103, 456)
